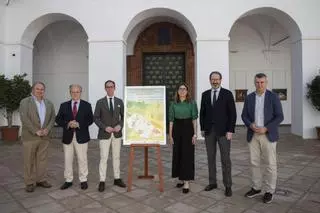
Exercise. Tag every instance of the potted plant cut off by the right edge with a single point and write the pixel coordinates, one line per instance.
(313, 94)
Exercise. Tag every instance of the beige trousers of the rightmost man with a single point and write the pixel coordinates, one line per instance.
(261, 149)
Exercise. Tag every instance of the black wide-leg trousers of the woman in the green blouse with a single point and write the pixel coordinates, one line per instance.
(183, 150)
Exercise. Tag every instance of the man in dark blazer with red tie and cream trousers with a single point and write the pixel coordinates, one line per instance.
(75, 117)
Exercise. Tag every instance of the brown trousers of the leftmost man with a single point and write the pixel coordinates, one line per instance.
(35, 154)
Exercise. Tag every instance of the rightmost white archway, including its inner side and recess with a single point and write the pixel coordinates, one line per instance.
(268, 40)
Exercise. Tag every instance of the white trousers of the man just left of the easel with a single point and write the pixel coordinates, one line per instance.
(104, 153)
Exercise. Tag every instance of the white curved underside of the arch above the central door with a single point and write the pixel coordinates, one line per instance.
(150, 16)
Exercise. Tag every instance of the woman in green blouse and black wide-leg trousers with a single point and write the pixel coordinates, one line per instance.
(183, 114)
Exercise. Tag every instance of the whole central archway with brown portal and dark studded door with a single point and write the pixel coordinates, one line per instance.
(166, 37)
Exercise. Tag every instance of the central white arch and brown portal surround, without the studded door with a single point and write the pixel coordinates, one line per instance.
(142, 35)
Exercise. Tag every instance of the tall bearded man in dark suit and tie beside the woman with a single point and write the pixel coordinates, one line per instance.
(217, 121)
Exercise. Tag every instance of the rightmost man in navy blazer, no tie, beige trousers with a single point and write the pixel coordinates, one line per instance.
(262, 114)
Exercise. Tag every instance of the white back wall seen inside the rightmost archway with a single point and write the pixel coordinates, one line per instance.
(252, 51)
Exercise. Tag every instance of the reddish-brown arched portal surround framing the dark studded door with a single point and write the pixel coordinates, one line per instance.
(149, 42)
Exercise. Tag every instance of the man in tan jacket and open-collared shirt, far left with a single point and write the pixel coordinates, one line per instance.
(37, 116)
